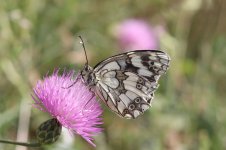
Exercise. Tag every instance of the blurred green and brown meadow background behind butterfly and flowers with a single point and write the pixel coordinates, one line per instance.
(188, 111)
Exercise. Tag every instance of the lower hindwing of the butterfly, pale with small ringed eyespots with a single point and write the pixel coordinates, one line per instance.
(129, 97)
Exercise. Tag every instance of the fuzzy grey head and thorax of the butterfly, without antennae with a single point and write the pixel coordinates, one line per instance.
(87, 75)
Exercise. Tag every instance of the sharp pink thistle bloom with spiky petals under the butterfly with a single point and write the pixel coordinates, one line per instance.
(76, 107)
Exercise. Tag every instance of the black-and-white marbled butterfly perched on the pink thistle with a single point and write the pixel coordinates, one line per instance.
(126, 82)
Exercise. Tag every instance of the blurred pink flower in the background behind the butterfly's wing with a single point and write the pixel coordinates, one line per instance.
(136, 35)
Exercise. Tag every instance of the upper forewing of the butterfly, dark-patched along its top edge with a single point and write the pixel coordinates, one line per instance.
(150, 64)
